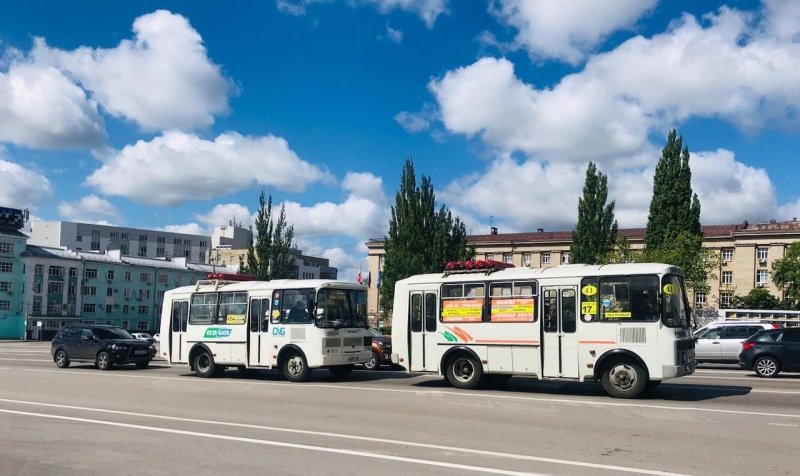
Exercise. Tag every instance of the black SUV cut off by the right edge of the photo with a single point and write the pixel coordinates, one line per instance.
(771, 351)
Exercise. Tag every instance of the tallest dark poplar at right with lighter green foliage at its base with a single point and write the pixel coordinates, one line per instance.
(673, 234)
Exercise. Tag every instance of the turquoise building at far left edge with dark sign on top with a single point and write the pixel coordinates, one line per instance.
(12, 274)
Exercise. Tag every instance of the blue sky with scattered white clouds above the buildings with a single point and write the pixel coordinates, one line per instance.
(176, 115)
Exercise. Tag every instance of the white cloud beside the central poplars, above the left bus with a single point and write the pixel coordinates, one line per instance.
(363, 214)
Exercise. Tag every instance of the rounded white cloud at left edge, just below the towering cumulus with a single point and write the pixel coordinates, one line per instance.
(41, 108)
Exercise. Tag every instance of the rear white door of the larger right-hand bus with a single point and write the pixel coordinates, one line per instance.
(423, 351)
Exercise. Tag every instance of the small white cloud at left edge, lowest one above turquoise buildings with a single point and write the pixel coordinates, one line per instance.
(22, 187)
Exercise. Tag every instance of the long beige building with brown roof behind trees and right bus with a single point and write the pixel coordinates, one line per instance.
(747, 252)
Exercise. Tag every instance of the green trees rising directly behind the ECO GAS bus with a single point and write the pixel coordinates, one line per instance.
(268, 254)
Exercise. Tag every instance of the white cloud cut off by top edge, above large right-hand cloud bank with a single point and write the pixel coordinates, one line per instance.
(569, 29)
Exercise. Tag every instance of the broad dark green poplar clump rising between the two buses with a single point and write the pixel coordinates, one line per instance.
(420, 239)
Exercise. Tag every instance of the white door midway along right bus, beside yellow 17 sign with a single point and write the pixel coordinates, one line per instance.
(559, 340)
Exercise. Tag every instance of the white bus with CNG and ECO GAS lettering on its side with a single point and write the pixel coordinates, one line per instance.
(292, 325)
